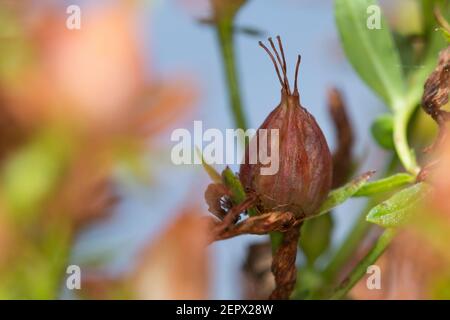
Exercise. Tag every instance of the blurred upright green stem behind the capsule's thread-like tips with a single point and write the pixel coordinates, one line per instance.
(225, 36)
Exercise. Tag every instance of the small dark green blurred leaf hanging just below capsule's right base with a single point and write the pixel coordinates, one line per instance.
(315, 237)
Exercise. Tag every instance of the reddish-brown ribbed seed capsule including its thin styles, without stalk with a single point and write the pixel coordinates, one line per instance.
(304, 176)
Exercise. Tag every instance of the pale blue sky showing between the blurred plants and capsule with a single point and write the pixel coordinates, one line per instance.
(177, 43)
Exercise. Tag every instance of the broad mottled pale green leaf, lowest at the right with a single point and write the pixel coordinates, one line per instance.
(395, 211)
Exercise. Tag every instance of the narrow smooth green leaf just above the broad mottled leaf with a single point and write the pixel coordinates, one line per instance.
(385, 184)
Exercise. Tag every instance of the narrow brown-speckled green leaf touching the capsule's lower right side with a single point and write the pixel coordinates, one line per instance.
(338, 196)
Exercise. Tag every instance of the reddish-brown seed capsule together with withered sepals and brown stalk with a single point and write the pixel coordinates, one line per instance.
(283, 200)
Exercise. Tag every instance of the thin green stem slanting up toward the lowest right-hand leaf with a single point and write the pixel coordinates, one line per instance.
(360, 270)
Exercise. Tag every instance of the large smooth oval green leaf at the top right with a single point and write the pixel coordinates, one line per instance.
(370, 51)
